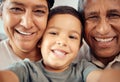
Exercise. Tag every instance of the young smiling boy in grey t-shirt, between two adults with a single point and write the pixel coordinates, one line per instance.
(59, 47)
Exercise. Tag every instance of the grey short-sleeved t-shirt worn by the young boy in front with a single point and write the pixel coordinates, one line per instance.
(35, 72)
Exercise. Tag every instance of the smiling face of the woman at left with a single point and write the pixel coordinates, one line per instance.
(24, 22)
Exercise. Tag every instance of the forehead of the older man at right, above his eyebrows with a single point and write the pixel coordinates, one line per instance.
(109, 4)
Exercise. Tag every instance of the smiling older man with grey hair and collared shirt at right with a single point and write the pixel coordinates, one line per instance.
(102, 31)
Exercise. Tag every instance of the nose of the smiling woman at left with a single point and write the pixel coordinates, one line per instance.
(27, 20)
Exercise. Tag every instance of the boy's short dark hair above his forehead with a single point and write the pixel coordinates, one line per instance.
(65, 10)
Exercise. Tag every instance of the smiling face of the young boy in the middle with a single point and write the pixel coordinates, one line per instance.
(61, 41)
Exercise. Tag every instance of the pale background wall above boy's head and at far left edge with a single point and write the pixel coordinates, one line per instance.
(72, 3)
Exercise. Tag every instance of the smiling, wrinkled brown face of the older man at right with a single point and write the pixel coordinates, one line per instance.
(102, 26)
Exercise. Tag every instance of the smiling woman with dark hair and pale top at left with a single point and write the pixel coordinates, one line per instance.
(24, 25)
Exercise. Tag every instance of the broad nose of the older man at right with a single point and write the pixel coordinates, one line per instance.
(103, 27)
